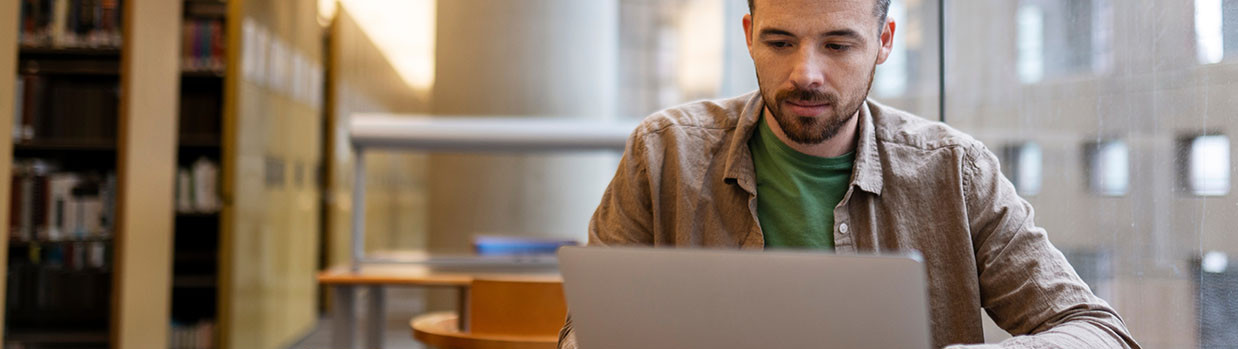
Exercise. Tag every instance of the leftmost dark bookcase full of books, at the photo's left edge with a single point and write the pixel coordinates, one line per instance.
(63, 195)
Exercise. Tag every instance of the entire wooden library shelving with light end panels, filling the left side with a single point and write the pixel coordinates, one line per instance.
(242, 267)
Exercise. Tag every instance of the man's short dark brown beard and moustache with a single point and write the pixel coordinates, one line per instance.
(813, 131)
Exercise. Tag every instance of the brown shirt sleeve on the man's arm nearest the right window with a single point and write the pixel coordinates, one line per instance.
(1027, 285)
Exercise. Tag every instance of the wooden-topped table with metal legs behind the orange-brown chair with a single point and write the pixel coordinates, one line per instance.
(345, 282)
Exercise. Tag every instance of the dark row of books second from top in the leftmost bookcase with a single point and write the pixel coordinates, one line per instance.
(41, 110)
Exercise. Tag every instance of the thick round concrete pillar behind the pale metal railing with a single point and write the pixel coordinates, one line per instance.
(522, 59)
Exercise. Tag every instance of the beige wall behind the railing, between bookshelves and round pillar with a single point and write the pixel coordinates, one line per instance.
(363, 81)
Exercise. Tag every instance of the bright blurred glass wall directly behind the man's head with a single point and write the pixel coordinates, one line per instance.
(678, 51)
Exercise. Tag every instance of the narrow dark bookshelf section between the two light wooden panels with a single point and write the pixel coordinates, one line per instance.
(200, 149)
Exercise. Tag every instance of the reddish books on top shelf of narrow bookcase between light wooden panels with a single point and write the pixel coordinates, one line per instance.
(202, 46)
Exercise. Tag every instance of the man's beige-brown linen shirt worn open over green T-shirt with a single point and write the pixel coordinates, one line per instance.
(686, 180)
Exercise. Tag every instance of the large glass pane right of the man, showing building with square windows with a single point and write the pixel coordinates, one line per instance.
(1112, 118)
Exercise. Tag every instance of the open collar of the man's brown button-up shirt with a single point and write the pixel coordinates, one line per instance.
(867, 174)
